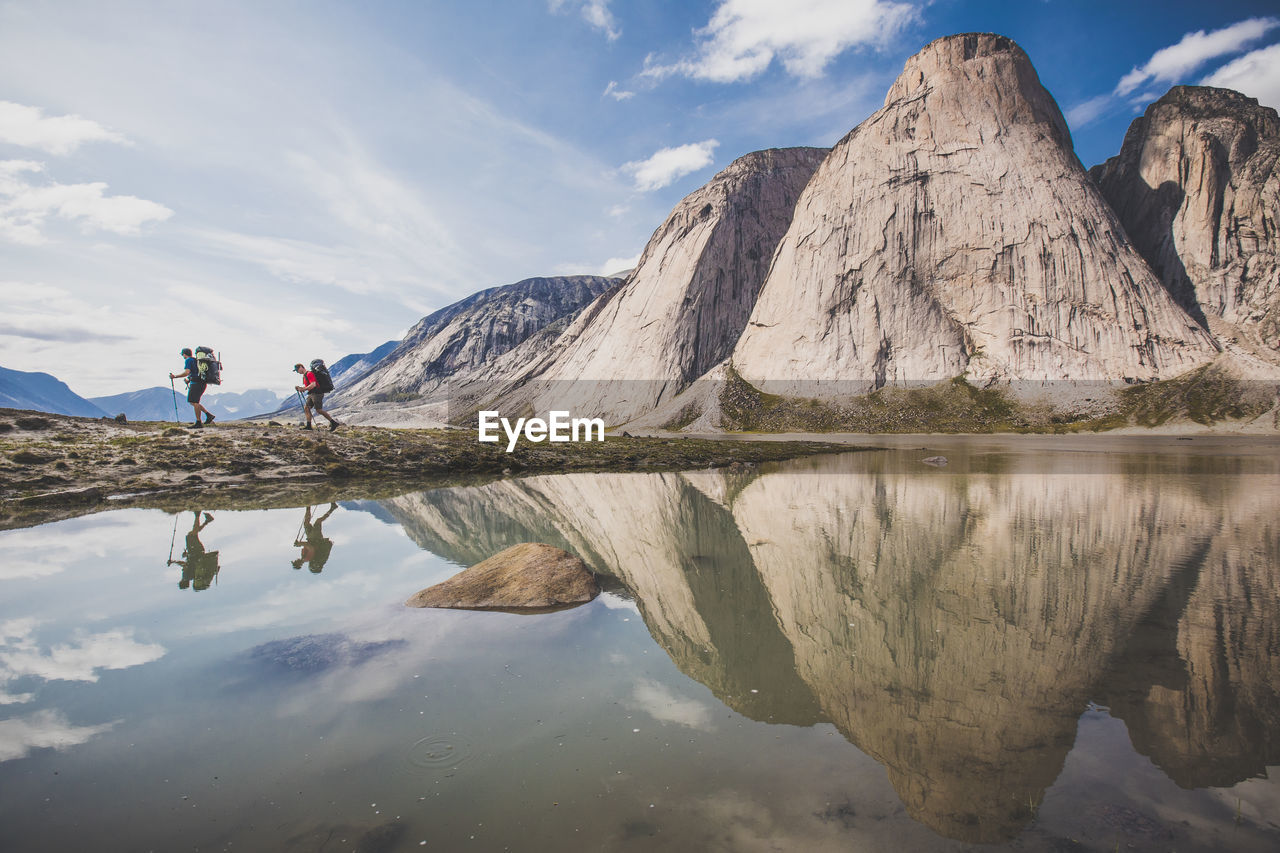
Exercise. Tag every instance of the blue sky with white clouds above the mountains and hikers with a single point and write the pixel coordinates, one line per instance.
(287, 180)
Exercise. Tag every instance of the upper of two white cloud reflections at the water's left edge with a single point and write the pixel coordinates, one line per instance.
(79, 660)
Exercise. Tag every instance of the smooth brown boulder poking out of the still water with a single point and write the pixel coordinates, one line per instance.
(524, 577)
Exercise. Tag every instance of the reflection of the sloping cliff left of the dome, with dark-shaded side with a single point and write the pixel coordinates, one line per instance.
(679, 553)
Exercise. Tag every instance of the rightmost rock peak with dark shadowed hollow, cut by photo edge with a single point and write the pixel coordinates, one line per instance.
(1196, 186)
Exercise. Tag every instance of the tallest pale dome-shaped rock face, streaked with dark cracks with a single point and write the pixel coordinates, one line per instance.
(956, 231)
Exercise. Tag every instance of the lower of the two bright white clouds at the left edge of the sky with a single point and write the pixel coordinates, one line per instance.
(26, 207)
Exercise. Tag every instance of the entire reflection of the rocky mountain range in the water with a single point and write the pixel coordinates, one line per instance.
(952, 624)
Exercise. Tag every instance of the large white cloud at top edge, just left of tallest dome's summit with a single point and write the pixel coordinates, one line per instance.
(746, 37)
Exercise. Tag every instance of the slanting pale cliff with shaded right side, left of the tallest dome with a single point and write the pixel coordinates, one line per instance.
(687, 303)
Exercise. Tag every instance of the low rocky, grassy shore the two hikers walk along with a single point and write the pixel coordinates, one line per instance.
(58, 467)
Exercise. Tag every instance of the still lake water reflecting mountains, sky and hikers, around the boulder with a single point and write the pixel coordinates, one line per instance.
(1037, 646)
